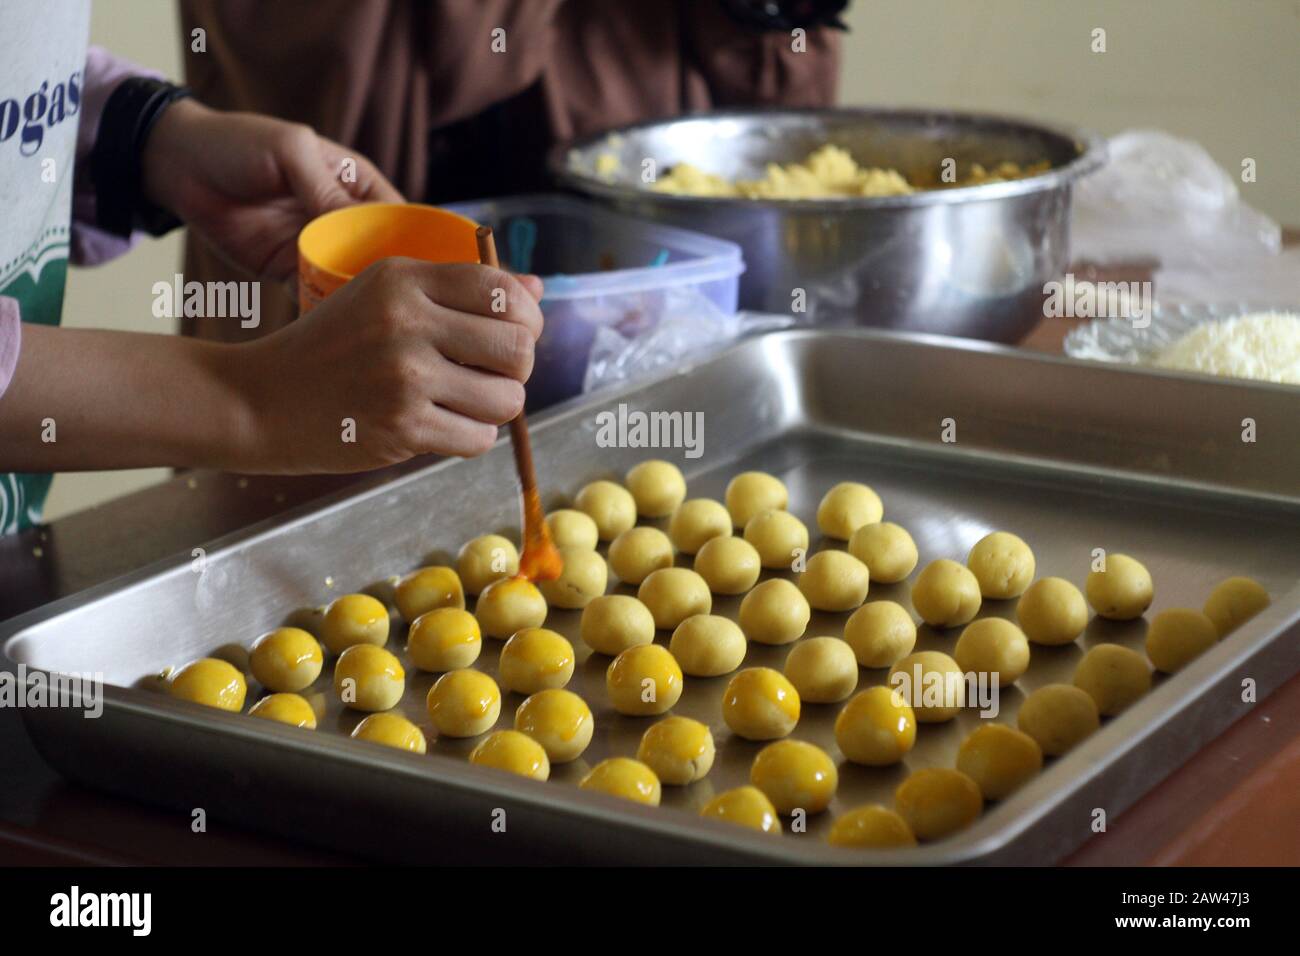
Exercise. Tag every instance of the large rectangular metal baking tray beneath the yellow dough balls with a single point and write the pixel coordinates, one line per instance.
(1071, 456)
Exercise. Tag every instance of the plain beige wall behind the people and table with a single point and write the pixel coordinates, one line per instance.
(1221, 72)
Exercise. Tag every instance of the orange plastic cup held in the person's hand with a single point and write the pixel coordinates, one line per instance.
(337, 246)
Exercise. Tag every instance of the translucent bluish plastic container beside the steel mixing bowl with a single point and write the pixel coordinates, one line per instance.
(600, 269)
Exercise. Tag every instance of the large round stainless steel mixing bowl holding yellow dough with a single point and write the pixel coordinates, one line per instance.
(969, 261)
